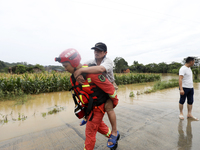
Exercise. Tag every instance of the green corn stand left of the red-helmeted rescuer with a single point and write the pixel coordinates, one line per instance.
(16, 85)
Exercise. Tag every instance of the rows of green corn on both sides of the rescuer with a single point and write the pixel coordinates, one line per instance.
(16, 85)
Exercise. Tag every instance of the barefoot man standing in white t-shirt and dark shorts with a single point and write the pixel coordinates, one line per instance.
(186, 88)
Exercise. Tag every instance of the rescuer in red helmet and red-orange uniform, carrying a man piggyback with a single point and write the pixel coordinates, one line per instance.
(97, 83)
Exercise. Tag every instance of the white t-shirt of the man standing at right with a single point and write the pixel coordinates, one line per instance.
(187, 81)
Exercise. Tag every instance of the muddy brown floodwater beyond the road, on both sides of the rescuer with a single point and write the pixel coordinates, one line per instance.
(32, 110)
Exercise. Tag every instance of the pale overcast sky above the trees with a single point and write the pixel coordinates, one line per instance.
(37, 31)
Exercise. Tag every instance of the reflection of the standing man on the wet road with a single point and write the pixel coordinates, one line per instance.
(185, 141)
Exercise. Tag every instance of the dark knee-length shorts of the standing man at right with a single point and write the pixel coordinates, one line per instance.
(189, 92)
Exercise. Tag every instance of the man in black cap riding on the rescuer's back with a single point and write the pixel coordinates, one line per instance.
(101, 64)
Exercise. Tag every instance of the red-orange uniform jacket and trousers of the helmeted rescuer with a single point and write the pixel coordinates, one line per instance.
(97, 123)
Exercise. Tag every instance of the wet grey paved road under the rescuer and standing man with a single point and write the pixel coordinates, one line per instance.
(143, 125)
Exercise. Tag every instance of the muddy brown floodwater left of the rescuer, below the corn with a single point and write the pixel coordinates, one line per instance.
(31, 112)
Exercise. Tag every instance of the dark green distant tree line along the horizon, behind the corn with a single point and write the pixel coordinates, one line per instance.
(120, 64)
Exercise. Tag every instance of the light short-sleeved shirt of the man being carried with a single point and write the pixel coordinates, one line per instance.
(108, 64)
